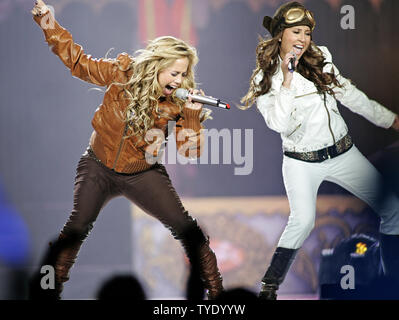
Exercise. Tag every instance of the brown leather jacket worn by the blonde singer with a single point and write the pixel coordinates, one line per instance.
(108, 140)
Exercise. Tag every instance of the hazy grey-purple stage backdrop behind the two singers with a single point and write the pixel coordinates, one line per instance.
(45, 113)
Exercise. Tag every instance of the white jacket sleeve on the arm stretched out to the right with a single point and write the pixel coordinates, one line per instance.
(355, 100)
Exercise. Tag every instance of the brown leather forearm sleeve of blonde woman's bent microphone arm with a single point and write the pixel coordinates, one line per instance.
(189, 133)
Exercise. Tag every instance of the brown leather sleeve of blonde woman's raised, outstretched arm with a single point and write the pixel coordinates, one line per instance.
(101, 72)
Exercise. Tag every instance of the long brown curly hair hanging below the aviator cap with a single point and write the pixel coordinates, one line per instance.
(310, 66)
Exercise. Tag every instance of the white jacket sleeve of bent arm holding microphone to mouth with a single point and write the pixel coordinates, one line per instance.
(276, 107)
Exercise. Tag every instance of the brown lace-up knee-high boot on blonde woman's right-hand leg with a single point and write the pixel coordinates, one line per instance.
(202, 259)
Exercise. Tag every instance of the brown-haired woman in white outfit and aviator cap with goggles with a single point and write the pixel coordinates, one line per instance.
(296, 85)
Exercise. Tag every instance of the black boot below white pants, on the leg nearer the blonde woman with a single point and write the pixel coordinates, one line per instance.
(275, 274)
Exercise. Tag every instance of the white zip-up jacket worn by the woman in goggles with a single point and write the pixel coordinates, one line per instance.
(302, 119)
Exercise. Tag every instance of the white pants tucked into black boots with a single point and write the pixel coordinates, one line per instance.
(351, 171)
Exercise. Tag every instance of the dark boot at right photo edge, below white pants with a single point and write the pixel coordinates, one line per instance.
(389, 246)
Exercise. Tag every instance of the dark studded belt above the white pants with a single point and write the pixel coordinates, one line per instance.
(321, 155)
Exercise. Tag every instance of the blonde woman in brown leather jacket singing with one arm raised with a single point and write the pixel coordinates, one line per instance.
(138, 101)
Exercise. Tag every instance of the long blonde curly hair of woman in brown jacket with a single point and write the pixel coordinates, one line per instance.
(143, 89)
